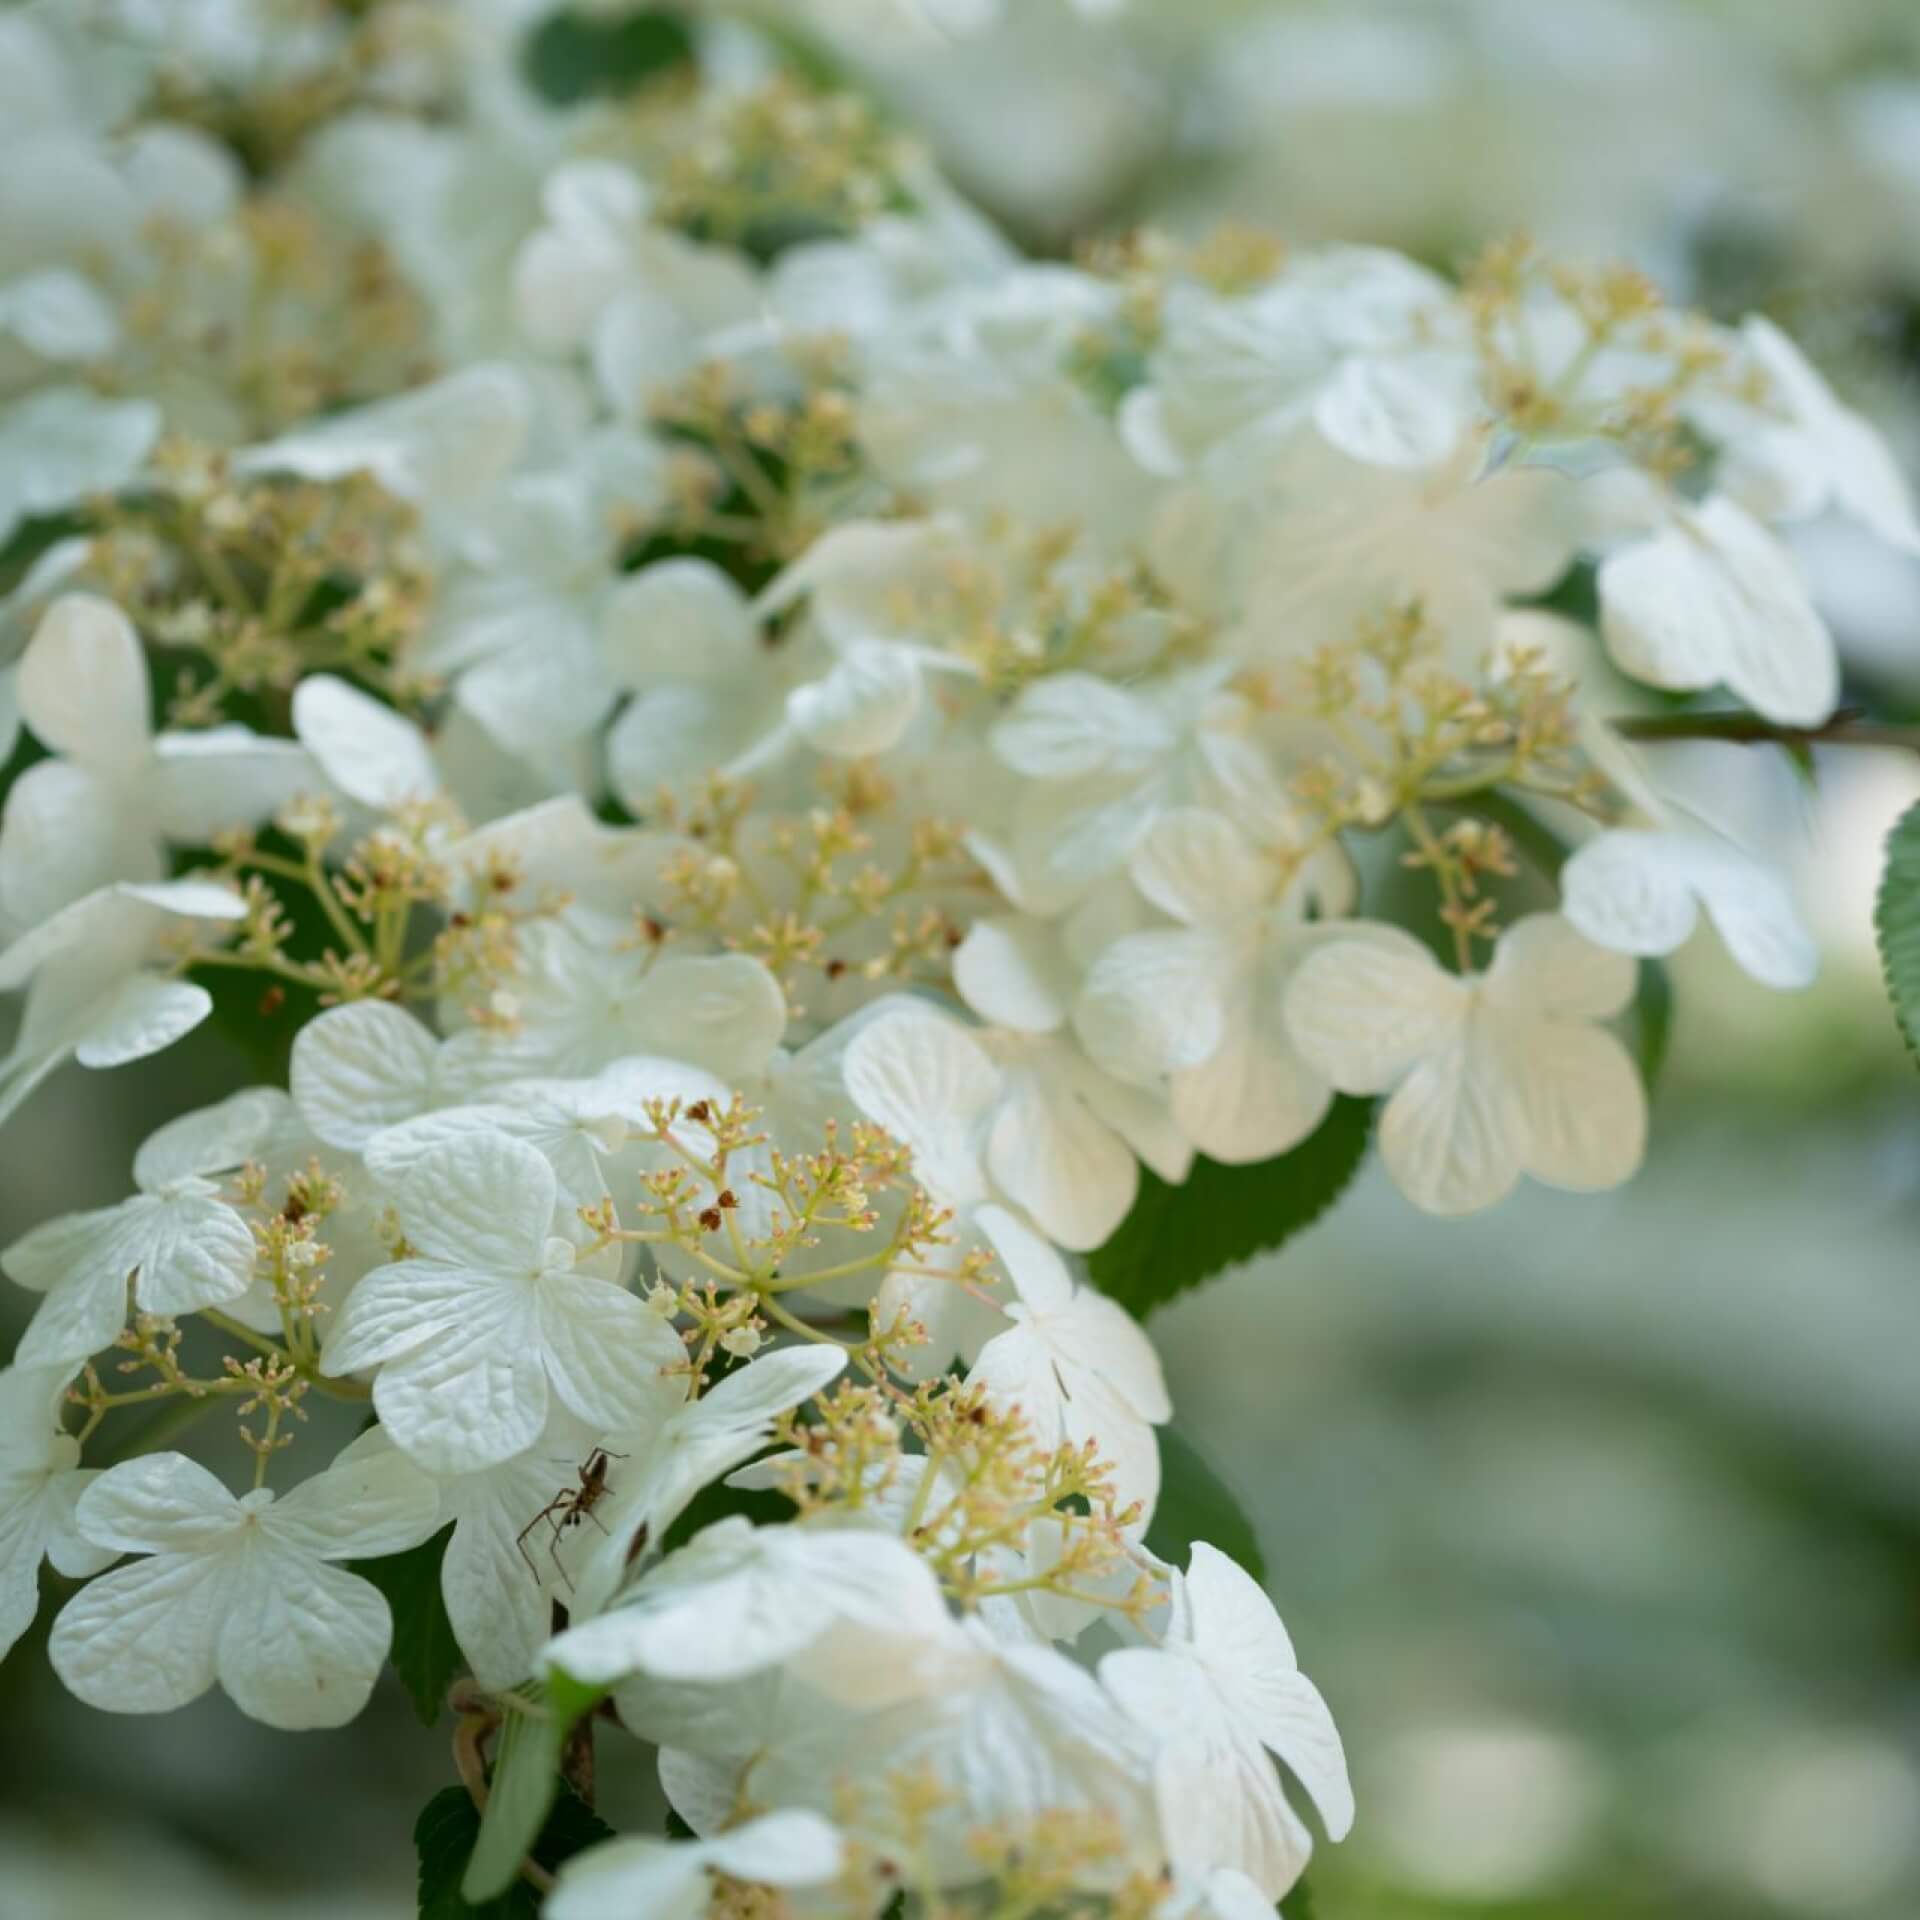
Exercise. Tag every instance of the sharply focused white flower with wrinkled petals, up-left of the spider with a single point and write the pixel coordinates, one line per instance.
(492, 1320)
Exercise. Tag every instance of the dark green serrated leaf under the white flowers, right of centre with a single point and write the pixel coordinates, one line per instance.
(1176, 1237)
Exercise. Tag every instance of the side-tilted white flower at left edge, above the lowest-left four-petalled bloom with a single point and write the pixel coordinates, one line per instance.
(176, 1239)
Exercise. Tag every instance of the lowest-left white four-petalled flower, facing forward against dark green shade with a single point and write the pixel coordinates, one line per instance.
(239, 1591)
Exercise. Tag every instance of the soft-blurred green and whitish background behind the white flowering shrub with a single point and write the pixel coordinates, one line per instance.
(1598, 1520)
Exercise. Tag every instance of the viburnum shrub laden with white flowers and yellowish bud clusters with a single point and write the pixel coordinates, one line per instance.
(807, 819)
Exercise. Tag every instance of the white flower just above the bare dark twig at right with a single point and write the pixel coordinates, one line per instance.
(1710, 598)
